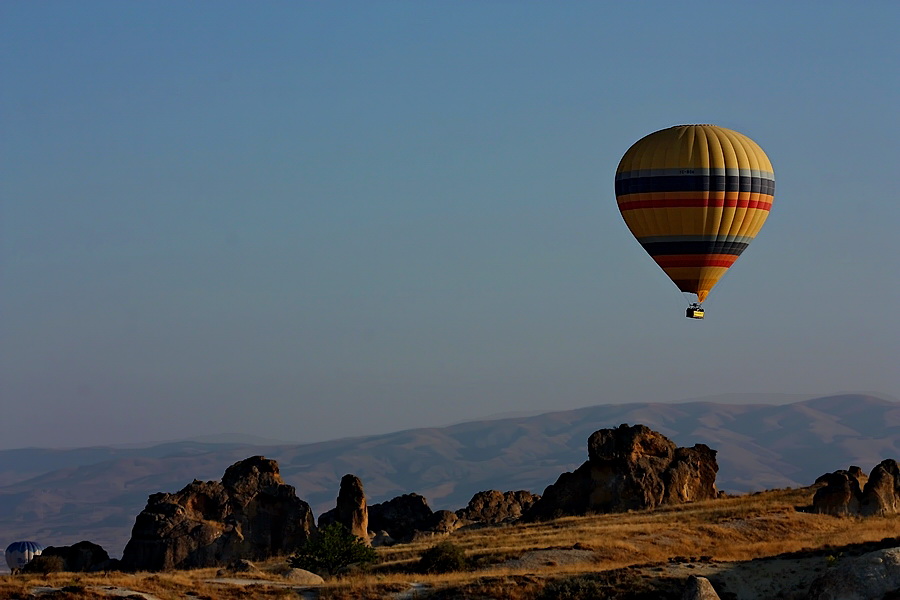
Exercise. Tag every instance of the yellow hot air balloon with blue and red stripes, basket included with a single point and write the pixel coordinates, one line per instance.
(694, 196)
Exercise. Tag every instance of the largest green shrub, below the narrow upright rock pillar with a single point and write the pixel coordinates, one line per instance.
(331, 550)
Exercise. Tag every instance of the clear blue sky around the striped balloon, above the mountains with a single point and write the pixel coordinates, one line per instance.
(316, 220)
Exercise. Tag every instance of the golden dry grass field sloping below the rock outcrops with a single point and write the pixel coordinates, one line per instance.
(641, 554)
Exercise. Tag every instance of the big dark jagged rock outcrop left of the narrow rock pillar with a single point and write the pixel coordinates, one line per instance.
(251, 514)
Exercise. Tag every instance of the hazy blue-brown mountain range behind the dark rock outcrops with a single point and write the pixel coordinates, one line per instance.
(60, 497)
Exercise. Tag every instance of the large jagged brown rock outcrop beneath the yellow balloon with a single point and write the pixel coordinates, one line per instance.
(630, 468)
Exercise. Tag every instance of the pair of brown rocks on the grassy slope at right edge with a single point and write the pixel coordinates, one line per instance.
(850, 493)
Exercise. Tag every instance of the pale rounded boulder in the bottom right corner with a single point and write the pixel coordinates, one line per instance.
(867, 577)
